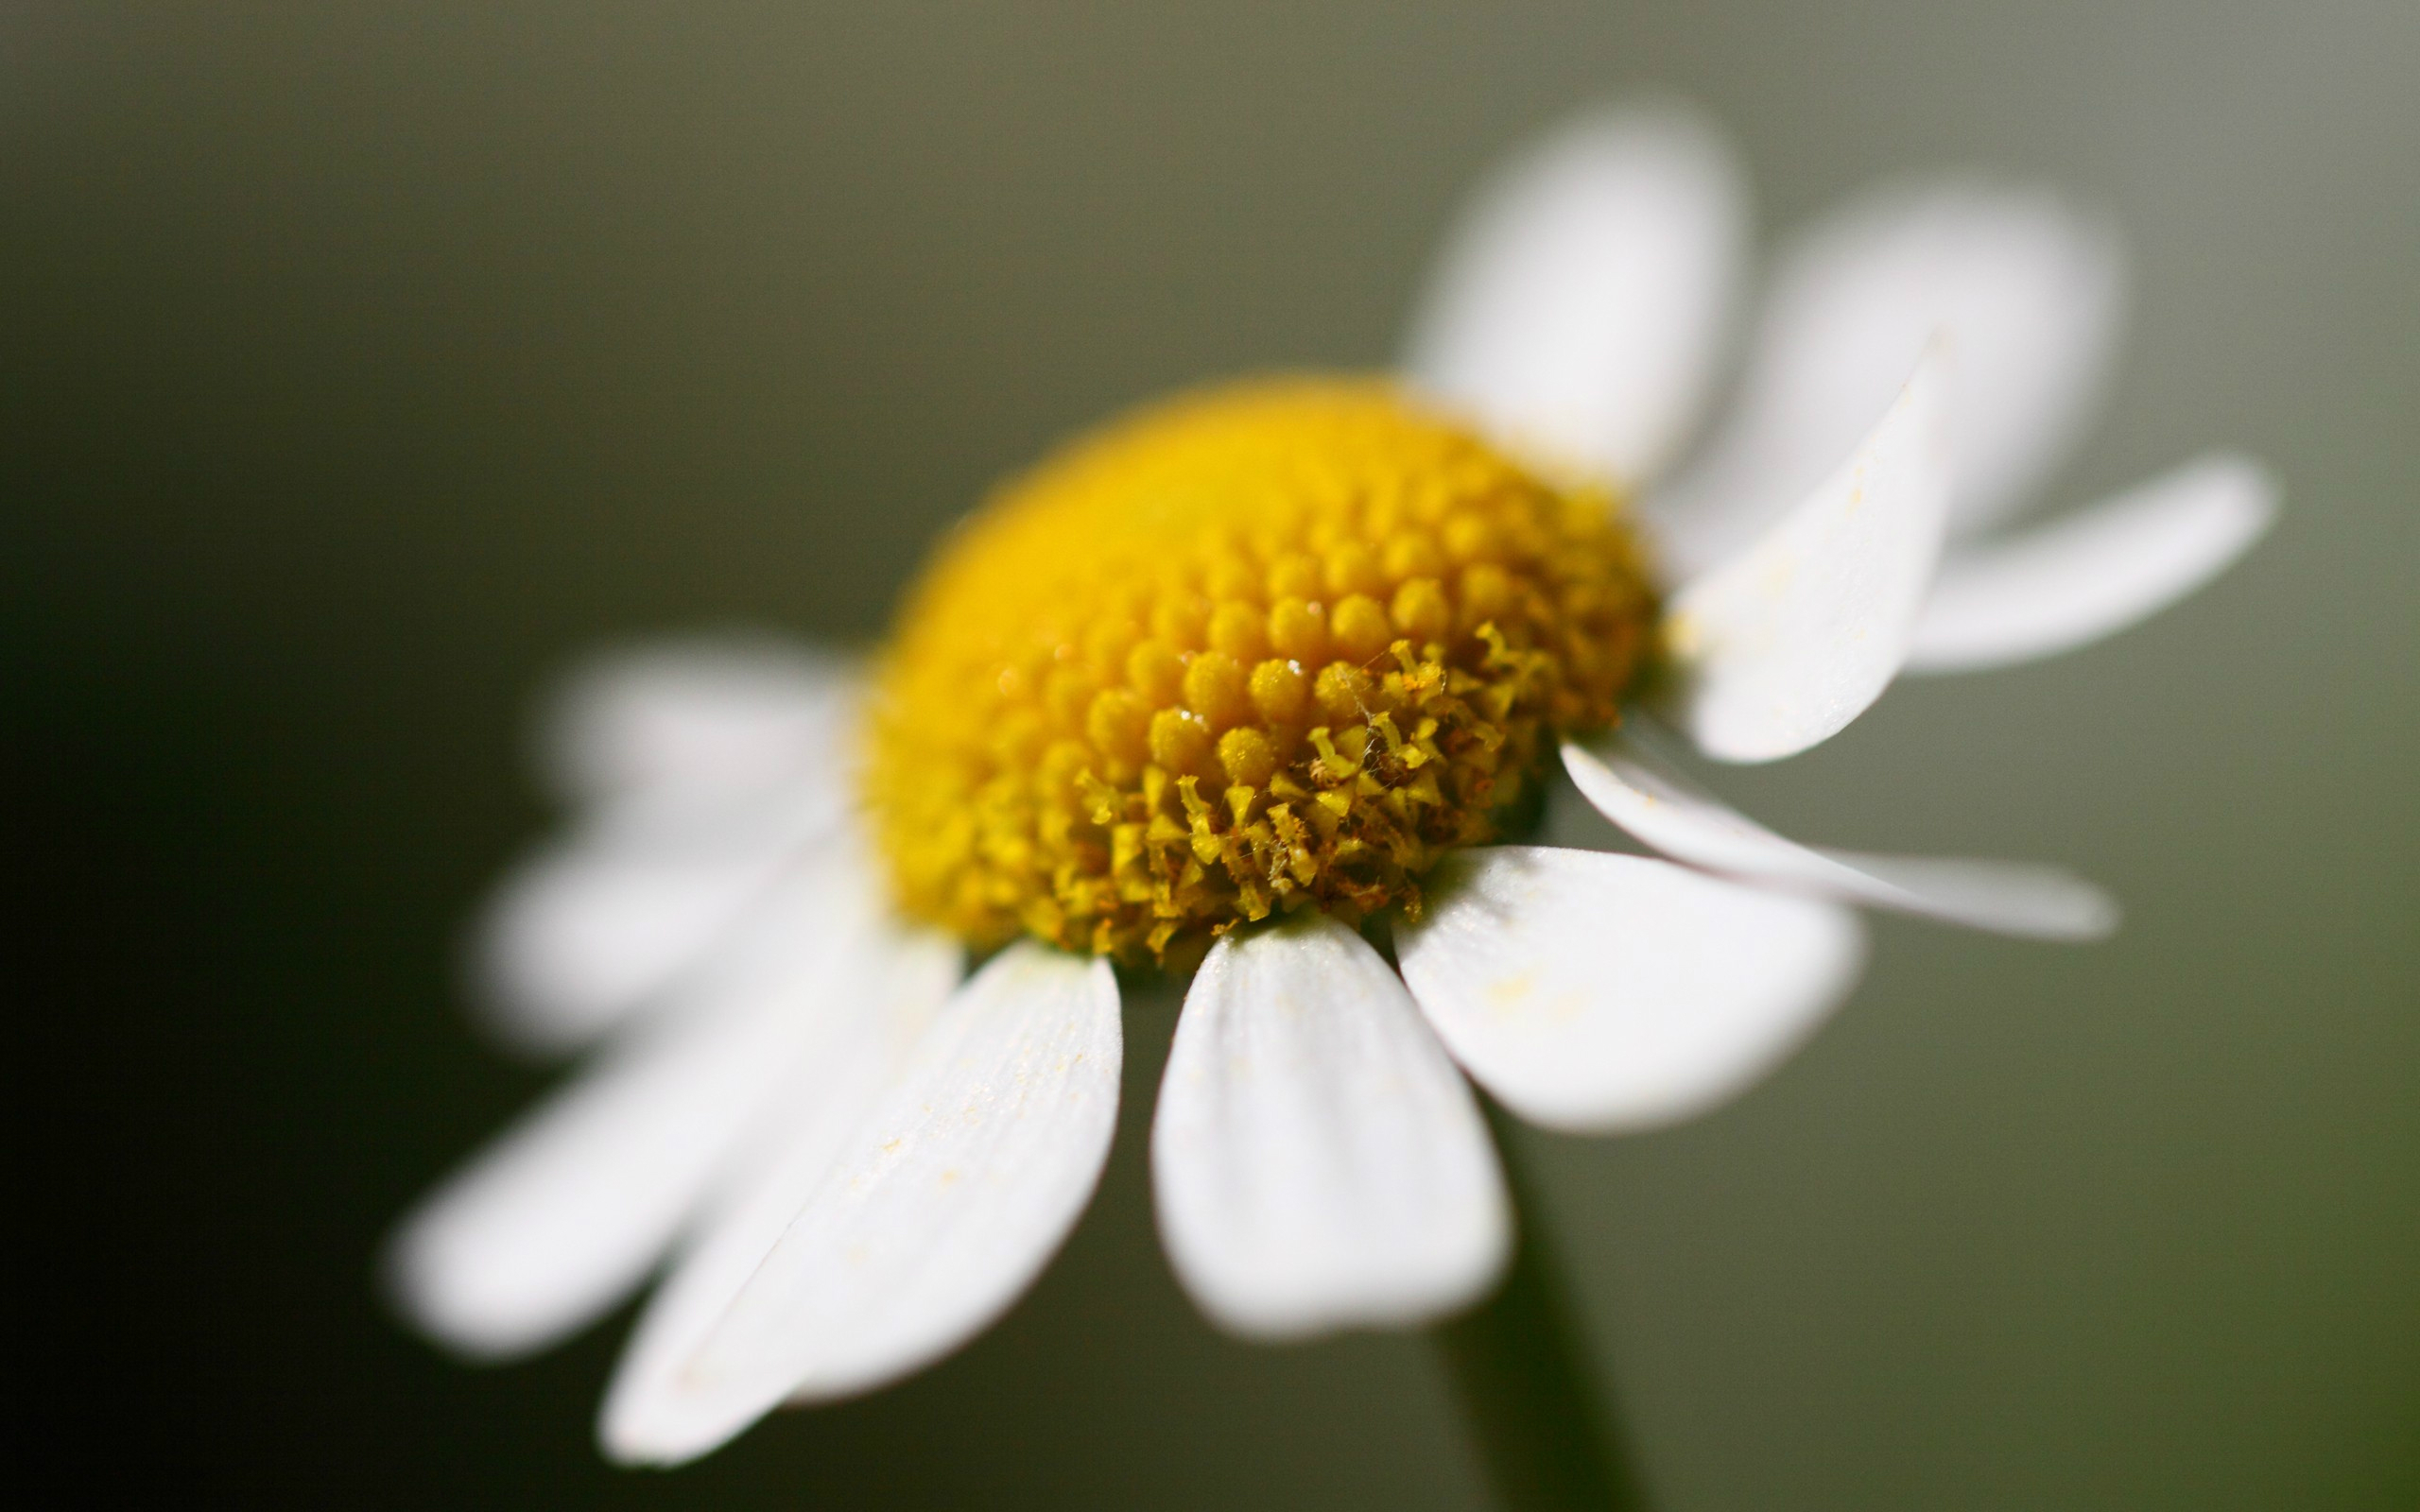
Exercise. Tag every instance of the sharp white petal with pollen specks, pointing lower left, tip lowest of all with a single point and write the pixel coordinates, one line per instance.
(940, 1213)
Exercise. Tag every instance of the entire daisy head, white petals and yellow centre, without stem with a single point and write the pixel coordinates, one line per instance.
(1262, 686)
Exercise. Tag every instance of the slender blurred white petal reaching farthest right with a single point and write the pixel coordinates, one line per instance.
(2097, 572)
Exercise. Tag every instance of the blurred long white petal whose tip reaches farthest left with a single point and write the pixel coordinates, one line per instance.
(577, 1204)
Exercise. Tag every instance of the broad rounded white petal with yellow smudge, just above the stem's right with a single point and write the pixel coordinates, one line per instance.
(1615, 993)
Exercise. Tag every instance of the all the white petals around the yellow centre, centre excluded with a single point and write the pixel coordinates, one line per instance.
(855, 1160)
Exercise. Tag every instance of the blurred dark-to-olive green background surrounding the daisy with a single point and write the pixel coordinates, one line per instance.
(367, 364)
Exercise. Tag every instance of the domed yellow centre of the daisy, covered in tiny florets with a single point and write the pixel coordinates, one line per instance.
(1255, 650)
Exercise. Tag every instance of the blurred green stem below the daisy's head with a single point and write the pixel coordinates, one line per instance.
(1523, 1378)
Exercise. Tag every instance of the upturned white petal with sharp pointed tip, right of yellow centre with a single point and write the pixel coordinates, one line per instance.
(1785, 645)
